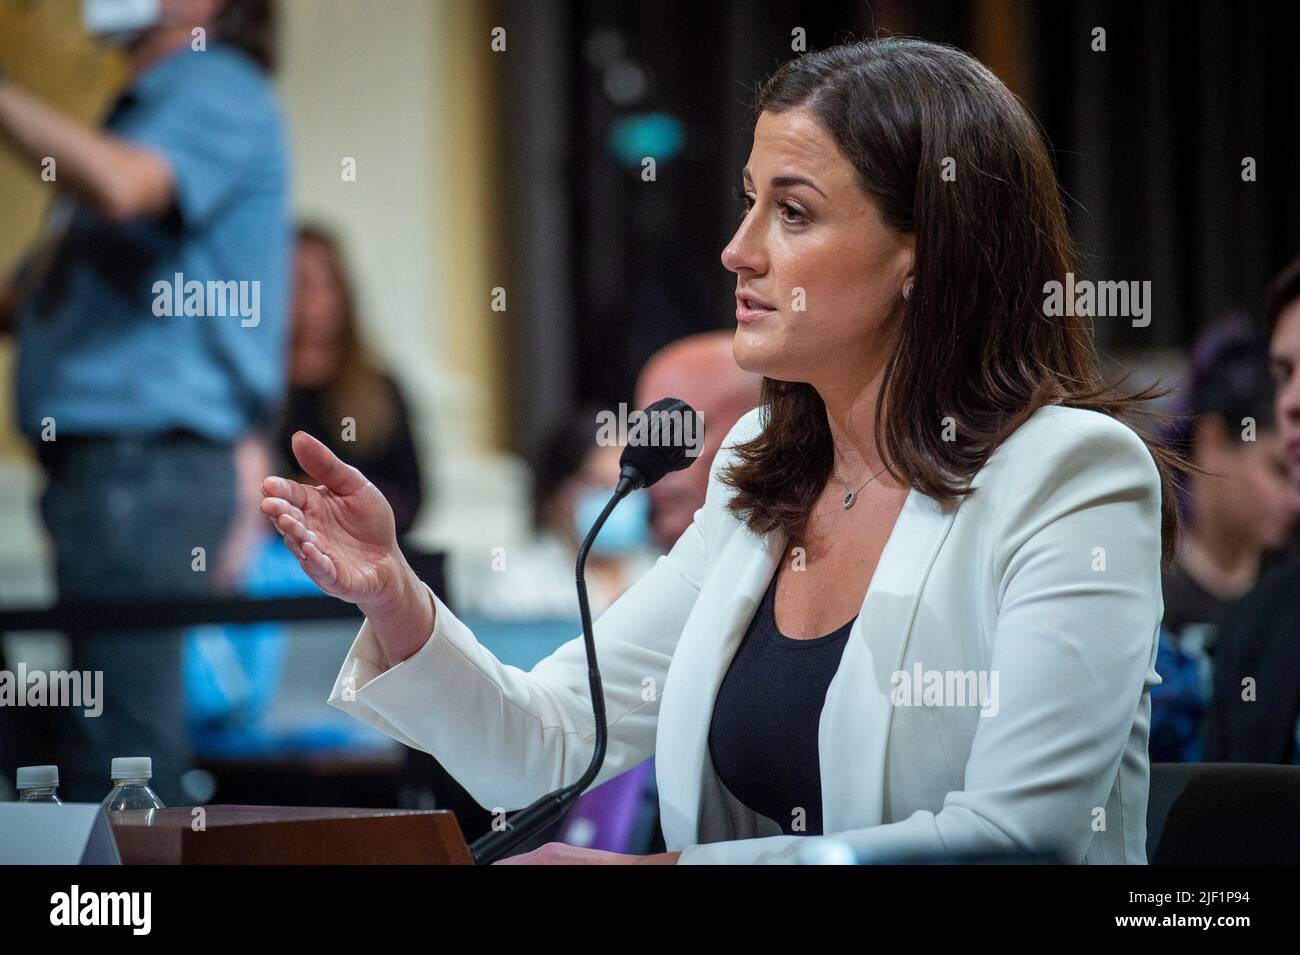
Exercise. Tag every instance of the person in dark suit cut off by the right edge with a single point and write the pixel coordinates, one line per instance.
(1255, 717)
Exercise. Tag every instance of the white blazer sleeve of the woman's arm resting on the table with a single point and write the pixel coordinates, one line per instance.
(1073, 646)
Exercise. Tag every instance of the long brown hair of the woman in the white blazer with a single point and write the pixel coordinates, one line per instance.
(974, 344)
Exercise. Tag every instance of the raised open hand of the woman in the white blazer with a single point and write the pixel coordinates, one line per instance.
(344, 537)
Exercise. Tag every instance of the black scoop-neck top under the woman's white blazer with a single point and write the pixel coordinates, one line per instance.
(762, 737)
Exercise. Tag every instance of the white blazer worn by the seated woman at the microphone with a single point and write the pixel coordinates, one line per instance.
(1047, 580)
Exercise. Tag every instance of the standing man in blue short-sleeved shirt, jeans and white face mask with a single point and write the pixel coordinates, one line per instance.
(142, 415)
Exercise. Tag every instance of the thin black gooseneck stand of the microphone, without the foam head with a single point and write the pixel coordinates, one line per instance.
(553, 808)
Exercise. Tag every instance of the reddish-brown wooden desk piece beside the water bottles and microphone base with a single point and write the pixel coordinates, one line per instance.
(289, 835)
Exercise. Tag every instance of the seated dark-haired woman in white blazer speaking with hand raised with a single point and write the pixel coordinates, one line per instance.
(917, 615)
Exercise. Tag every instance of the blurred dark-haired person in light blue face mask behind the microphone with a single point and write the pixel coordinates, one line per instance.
(574, 477)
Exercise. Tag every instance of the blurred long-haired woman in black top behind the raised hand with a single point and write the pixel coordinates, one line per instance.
(337, 390)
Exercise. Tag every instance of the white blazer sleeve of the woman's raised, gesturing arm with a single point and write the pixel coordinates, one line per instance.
(510, 736)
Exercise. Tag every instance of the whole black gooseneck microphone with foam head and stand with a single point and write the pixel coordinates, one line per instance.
(642, 465)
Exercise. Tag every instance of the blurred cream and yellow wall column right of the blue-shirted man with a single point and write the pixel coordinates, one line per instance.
(404, 88)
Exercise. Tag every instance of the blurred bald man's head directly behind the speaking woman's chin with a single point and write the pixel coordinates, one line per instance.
(703, 372)
